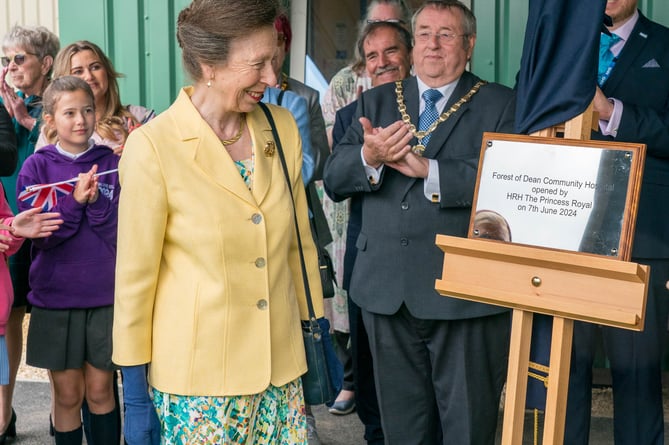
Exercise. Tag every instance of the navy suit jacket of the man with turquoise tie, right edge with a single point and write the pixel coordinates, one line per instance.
(640, 79)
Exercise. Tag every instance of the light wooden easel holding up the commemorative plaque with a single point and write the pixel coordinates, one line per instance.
(568, 286)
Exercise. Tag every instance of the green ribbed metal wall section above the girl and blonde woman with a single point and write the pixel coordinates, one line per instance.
(138, 36)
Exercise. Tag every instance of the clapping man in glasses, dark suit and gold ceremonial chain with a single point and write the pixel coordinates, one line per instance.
(411, 156)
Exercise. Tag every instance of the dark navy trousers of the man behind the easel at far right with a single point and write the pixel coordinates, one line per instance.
(636, 370)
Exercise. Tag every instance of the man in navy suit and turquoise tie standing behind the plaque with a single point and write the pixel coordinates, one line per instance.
(632, 99)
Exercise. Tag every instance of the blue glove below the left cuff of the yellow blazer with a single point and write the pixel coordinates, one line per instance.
(141, 424)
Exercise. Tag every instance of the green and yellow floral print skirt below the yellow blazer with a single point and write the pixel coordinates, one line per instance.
(274, 416)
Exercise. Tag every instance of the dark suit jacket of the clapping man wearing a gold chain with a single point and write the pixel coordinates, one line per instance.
(397, 259)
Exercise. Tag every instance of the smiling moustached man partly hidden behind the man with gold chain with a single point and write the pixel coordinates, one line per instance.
(386, 48)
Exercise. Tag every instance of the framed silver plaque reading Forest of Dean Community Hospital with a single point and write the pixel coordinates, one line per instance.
(556, 193)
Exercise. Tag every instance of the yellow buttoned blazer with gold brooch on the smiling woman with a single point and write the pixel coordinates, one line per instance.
(209, 289)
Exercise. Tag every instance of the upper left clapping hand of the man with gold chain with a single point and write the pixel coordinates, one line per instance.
(385, 145)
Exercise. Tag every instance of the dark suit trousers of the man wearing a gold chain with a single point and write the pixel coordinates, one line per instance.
(432, 373)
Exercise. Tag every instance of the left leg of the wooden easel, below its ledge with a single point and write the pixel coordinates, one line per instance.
(516, 382)
